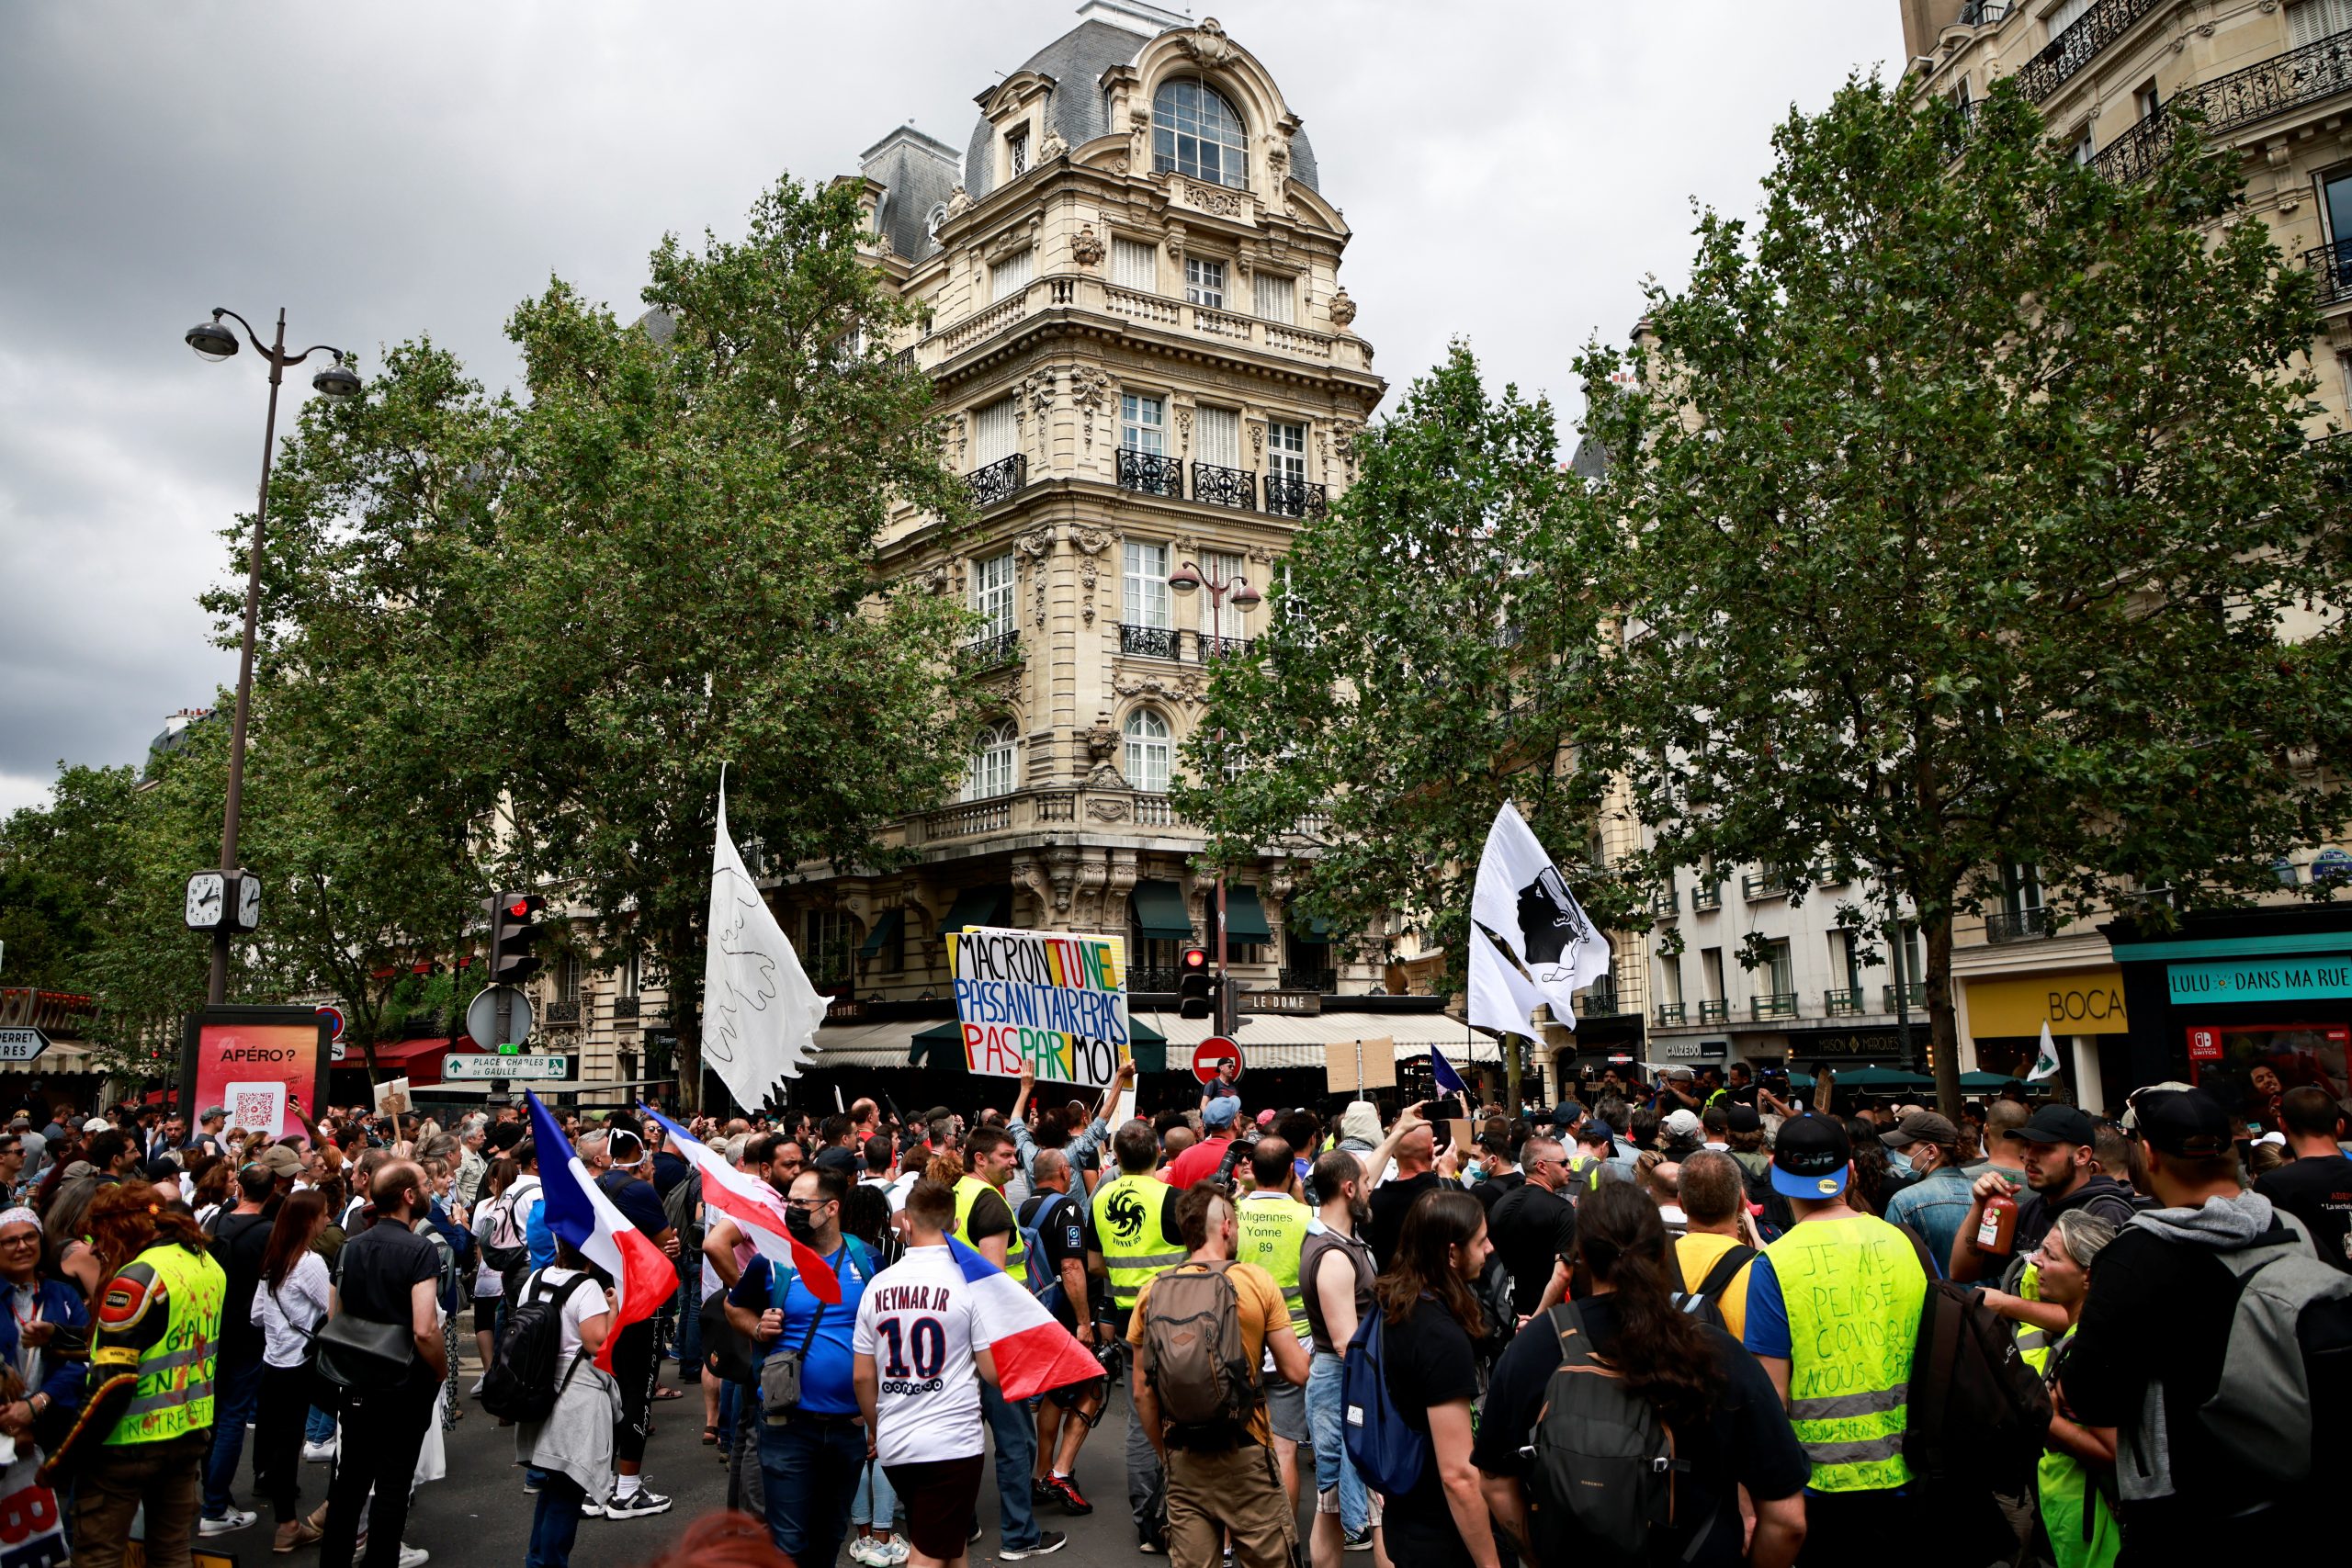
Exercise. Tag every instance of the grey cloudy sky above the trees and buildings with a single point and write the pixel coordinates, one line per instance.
(382, 170)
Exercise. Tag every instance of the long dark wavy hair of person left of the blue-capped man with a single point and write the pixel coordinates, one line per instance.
(1662, 1353)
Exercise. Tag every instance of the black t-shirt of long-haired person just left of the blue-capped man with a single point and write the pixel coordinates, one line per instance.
(1749, 1440)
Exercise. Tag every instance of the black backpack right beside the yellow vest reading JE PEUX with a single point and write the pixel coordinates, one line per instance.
(1977, 1414)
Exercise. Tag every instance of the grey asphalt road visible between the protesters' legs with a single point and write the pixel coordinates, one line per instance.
(481, 1517)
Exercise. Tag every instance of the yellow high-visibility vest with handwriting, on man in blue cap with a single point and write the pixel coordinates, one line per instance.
(1852, 1294)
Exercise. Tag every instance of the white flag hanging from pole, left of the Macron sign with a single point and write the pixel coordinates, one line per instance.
(759, 1005)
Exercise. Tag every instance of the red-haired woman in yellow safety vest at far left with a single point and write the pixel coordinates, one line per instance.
(147, 1426)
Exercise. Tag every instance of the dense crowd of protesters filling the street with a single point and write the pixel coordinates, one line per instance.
(1377, 1320)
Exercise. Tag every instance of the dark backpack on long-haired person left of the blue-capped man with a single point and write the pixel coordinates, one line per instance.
(1603, 1466)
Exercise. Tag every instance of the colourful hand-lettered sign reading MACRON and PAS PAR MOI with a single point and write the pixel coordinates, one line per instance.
(1043, 998)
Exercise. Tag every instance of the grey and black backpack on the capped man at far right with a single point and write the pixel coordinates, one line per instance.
(2290, 1358)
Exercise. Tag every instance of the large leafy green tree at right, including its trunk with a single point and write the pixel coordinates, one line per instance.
(1970, 523)
